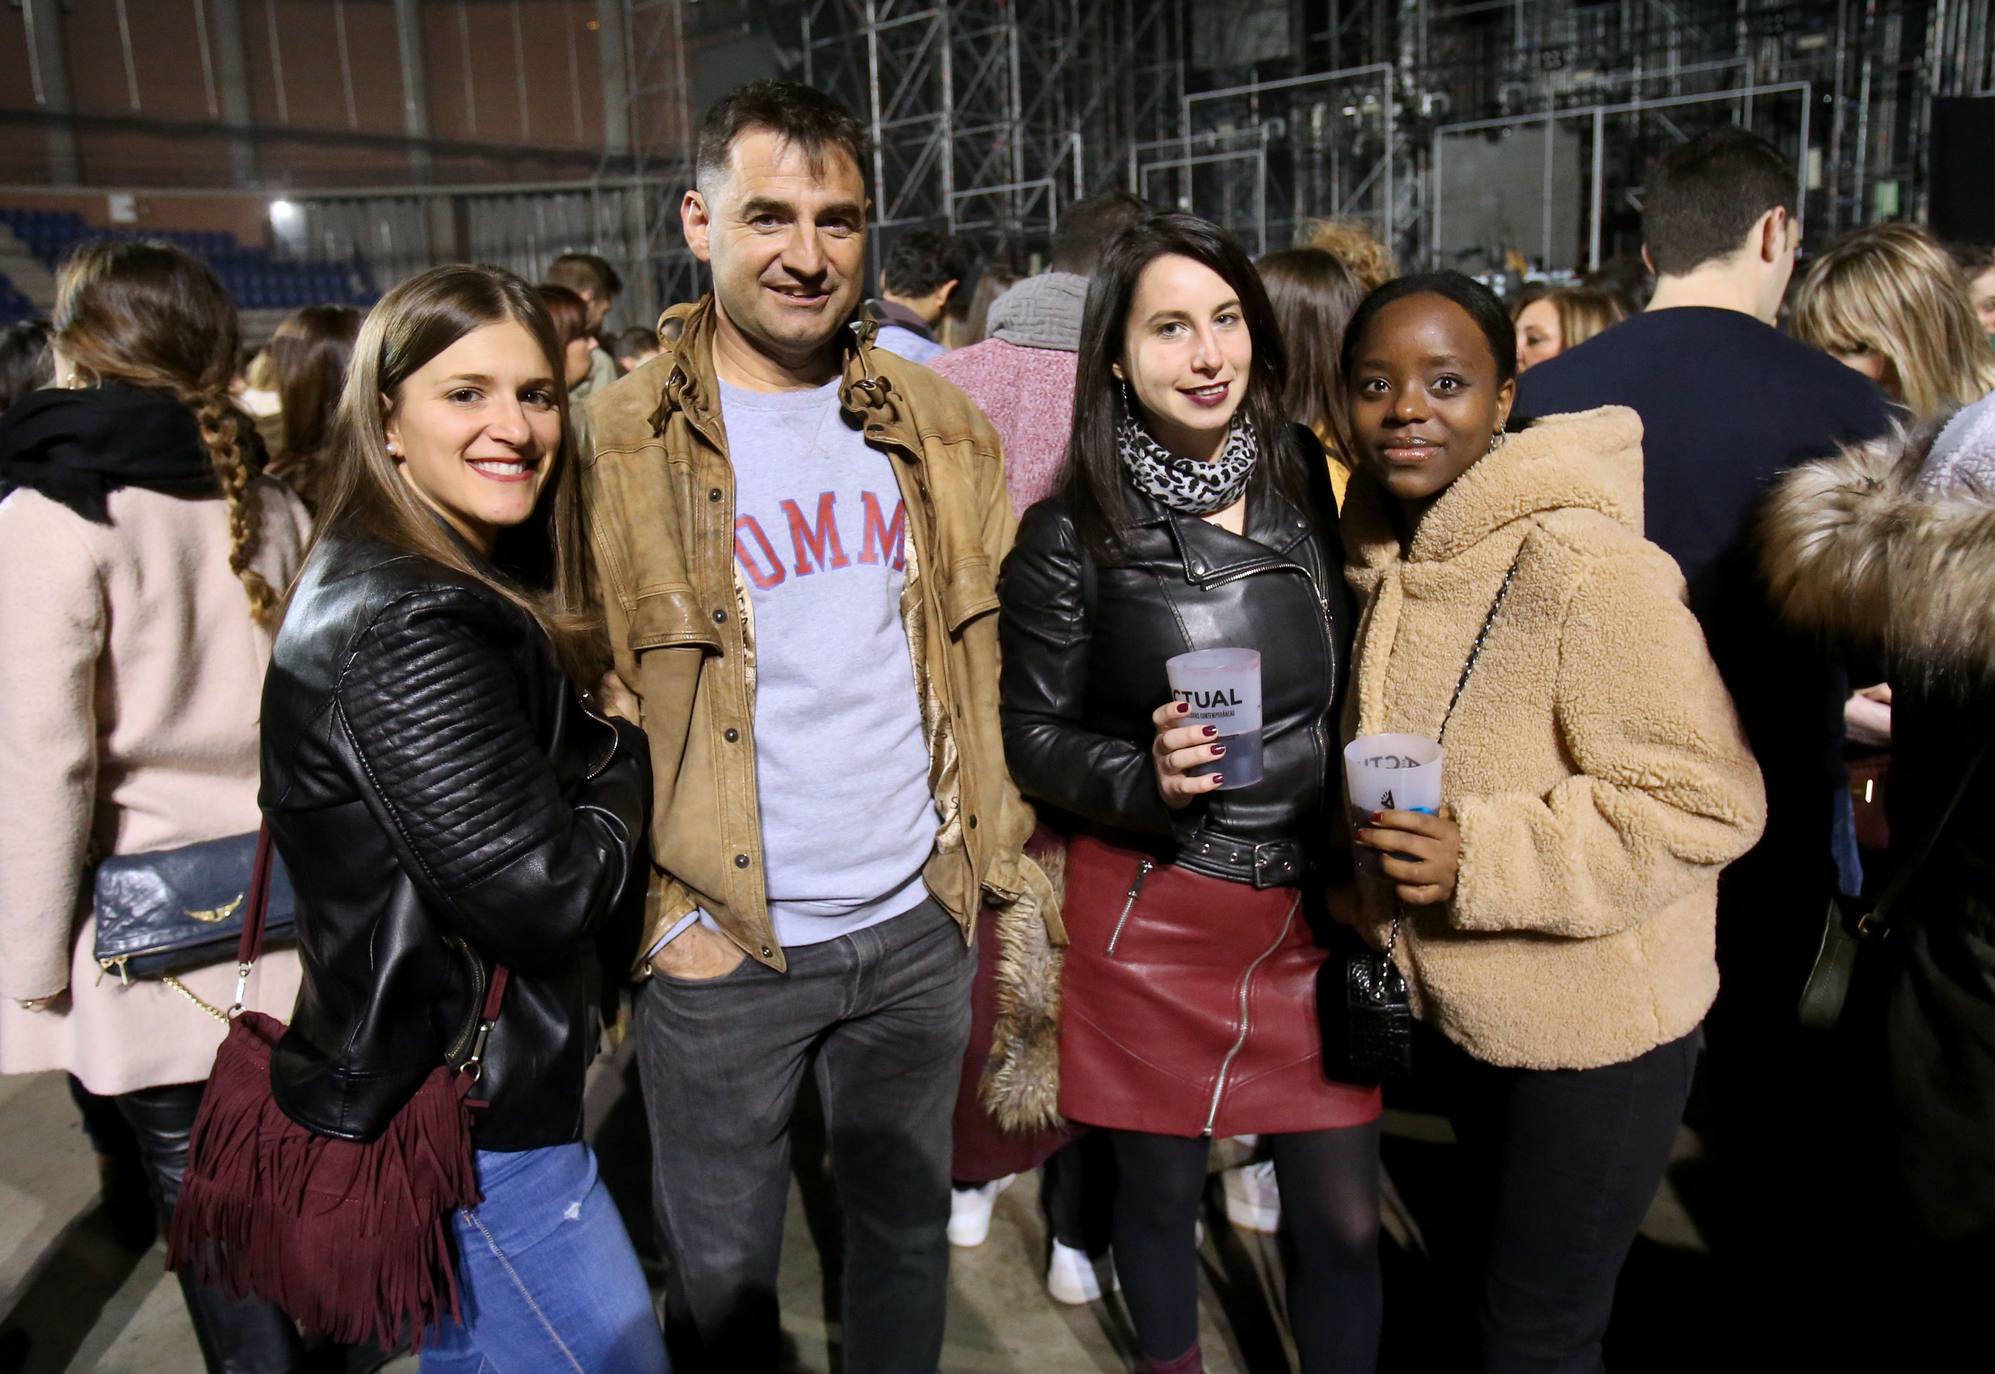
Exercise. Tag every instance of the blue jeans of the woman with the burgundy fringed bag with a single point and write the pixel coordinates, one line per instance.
(546, 1275)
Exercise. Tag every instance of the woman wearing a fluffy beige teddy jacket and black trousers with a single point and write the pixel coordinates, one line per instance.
(1557, 916)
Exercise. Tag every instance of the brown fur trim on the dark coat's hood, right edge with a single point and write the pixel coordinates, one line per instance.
(1856, 547)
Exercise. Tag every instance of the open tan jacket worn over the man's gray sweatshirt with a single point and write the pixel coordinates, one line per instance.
(659, 492)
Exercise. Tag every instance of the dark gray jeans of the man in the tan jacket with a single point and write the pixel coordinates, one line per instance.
(883, 1020)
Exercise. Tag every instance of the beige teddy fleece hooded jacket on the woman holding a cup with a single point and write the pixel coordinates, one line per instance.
(1595, 763)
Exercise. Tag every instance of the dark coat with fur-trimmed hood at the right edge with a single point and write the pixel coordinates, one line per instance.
(1890, 549)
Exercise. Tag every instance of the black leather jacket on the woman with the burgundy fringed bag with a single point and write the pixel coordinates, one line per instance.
(444, 805)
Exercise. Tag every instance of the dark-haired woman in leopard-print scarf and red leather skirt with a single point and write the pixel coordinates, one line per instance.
(1194, 517)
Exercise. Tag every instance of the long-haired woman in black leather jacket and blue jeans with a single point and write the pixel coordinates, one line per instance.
(448, 809)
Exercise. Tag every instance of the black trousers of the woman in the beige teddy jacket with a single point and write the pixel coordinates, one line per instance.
(1561, 1170)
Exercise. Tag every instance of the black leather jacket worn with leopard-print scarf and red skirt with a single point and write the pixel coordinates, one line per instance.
(1086, 643)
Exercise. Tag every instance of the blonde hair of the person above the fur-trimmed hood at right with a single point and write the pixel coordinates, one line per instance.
(1896, 292)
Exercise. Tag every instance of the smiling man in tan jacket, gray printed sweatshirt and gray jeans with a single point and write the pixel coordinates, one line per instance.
(797, 541)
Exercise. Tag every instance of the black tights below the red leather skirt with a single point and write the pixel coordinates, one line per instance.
(1330, 1223)
